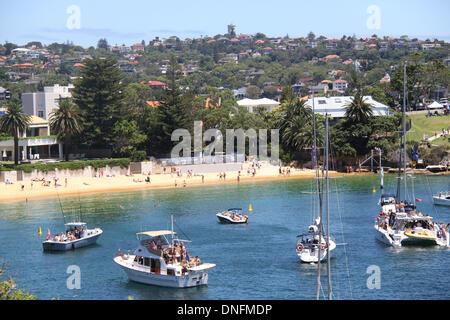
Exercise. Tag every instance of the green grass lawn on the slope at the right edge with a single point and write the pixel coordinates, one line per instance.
(422, 125)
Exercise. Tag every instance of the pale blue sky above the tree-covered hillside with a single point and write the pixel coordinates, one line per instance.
(128, 22)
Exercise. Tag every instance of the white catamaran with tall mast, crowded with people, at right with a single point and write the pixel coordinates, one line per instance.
(398, 223)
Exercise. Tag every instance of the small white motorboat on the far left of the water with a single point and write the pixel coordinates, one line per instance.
(77, 235)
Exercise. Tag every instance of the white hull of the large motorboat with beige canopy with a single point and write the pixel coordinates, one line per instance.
(192, 279)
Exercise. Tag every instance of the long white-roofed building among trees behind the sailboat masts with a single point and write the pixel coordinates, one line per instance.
(336, 106)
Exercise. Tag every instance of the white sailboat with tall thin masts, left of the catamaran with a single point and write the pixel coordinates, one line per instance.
(315, 246)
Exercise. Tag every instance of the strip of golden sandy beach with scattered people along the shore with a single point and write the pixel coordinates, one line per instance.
(76, 186)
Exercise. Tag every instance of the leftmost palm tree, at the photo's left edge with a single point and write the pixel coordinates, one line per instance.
(13, 121)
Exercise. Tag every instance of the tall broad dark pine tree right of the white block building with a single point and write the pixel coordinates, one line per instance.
(99, 95)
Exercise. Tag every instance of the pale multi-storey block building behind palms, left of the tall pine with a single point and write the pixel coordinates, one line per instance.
(41, 104)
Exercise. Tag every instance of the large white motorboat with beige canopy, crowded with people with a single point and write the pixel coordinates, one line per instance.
(157, 261)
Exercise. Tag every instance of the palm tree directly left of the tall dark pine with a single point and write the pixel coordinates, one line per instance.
(66, 122)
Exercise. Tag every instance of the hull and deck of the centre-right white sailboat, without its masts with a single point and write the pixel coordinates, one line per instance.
(313, 242)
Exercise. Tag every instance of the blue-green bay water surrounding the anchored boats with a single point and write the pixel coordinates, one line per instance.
(254, 261)
